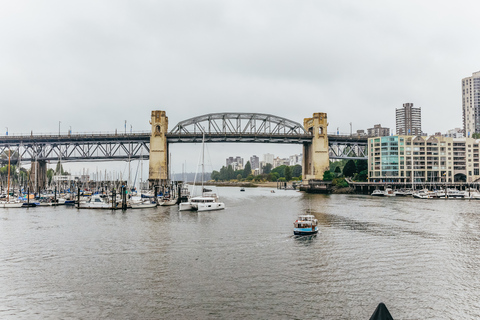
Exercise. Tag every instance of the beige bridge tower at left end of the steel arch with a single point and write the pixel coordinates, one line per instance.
(158, 163)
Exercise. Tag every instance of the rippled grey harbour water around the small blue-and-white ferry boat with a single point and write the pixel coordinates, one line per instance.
(419, 257)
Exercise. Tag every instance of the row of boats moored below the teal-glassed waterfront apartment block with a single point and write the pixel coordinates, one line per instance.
(447, 193)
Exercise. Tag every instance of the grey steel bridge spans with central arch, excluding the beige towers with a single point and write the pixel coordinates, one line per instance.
(214, 127)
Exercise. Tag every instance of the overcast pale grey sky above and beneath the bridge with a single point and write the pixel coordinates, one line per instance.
(94, 64)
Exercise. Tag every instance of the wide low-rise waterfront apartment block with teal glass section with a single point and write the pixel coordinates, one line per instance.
(416, 159)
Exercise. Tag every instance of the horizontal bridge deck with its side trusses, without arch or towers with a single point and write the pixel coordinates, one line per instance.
(130, 146)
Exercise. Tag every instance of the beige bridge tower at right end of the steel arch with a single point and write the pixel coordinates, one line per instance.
(315, 155)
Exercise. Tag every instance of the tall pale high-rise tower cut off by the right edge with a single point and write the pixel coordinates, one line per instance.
(471, 104)
